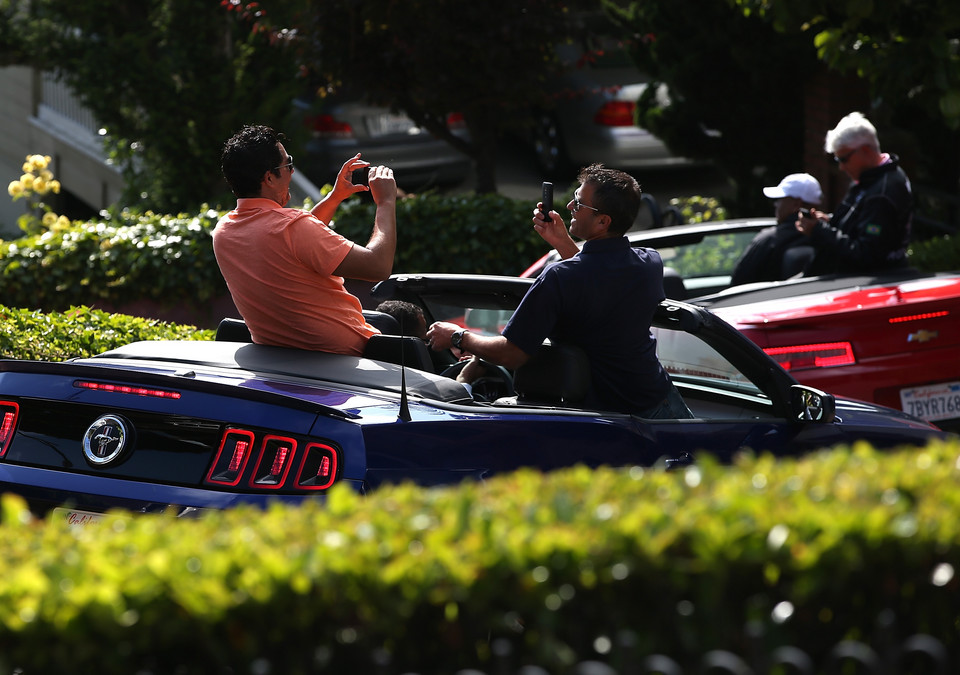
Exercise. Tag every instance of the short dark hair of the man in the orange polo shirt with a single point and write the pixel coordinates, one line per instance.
(249, 154)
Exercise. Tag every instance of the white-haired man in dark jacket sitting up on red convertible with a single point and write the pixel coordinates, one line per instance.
(870, 230)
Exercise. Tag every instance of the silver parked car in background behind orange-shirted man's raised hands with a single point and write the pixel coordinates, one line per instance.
(340, 127)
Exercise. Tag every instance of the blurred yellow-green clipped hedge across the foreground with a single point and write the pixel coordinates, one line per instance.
(558, 565)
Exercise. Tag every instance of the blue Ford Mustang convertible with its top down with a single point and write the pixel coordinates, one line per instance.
(210, 424)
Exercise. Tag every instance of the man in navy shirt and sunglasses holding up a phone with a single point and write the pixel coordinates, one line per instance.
(601, 298)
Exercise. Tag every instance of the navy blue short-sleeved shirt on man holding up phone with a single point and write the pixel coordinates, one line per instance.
(602, 300)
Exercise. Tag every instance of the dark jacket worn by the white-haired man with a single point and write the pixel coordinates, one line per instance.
(870, 229)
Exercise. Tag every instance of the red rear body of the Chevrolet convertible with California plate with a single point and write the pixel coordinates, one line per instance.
(891, 338)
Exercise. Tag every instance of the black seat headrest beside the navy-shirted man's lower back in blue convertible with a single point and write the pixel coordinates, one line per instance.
(558, 374)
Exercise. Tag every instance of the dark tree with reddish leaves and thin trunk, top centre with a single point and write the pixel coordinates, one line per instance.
(486, 60)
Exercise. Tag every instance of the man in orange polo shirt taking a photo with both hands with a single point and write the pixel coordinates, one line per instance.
(285, 267)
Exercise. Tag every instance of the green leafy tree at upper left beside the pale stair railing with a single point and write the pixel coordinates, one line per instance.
(169, 80)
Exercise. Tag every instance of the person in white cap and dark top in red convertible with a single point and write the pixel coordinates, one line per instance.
(781, 251)
